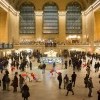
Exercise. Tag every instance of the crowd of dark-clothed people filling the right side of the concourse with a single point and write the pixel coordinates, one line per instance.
(78, 60)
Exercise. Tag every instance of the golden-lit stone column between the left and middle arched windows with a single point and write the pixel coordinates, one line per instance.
(39, 24)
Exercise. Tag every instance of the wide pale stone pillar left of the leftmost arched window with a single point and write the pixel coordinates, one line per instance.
(13, 27)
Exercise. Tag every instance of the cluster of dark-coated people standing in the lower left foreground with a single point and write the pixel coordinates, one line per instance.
(5, 83)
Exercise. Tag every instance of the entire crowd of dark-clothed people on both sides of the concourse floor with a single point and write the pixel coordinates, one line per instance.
(75, 60)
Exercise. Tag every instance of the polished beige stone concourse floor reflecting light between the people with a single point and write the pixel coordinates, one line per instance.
(47, 87)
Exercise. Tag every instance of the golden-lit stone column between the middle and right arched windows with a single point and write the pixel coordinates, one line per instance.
(62, 26)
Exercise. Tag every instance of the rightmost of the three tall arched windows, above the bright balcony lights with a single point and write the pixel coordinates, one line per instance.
(73, 19)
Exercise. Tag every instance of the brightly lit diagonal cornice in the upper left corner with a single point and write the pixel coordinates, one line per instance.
(7, 7)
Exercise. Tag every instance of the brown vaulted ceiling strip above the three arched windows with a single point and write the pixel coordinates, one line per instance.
(84, 3)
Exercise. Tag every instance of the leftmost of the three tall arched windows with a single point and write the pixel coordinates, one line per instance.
(27, 18)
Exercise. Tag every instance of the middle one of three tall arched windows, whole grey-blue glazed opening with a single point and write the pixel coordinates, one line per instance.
(50, 18)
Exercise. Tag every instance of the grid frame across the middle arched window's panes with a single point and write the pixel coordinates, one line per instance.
(48, 19)
